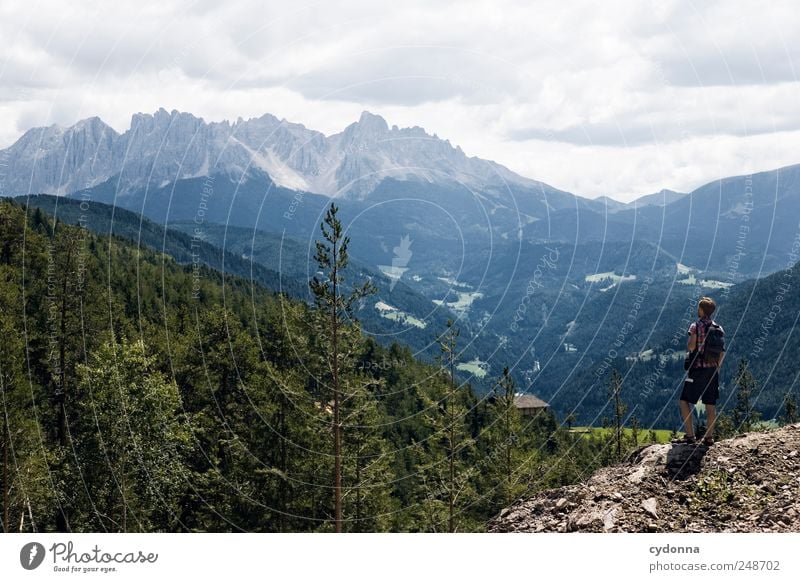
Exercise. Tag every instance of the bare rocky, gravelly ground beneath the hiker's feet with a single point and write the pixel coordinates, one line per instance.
(749, 483)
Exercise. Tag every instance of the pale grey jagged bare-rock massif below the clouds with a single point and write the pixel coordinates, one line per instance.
(165, 146)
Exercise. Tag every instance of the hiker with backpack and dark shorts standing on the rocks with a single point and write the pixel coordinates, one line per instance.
(706, 352)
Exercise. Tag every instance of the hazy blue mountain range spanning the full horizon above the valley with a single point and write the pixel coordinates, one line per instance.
(402, 181)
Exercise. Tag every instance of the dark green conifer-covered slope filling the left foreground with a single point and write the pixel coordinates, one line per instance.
(140, 394)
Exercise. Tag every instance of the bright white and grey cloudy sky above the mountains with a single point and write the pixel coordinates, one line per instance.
(614, 98)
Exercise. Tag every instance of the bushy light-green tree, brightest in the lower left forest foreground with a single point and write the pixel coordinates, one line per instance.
(132, 442)
